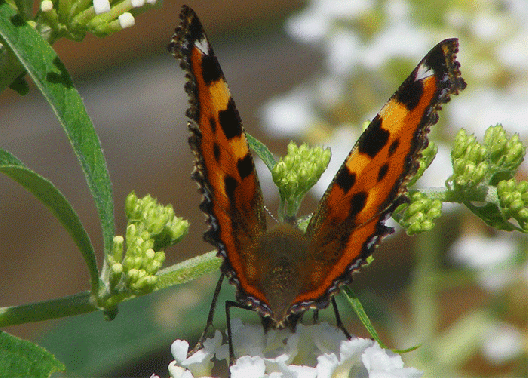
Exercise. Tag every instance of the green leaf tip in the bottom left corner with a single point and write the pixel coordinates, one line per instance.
(21, 358)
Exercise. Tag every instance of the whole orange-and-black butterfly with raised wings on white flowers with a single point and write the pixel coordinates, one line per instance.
(278, 270)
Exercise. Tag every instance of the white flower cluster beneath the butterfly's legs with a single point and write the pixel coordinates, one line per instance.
(312, 351)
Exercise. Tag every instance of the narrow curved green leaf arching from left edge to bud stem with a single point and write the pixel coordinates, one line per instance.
(50, 196)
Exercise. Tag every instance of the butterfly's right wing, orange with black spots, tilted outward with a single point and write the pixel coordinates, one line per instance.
(370, 184)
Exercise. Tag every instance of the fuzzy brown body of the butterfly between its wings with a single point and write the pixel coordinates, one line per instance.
(281, 252)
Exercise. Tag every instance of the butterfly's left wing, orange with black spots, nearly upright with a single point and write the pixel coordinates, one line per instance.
(224, 168)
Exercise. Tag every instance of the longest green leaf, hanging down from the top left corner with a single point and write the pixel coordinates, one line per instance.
(53, 80)
